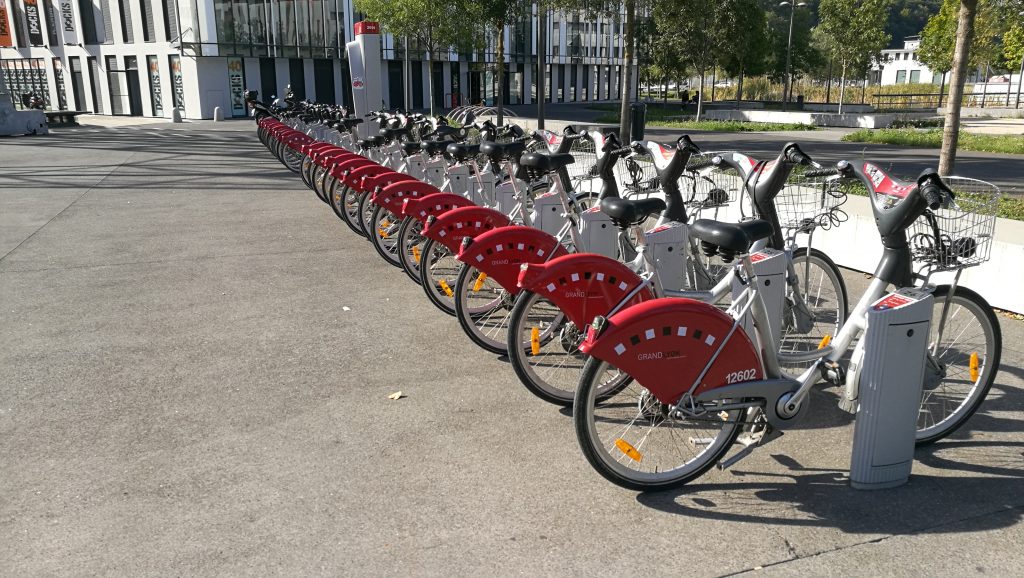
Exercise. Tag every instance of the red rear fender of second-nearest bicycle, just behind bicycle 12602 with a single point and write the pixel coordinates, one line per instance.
(584, 285)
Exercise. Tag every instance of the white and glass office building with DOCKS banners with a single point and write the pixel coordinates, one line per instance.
(145, 58)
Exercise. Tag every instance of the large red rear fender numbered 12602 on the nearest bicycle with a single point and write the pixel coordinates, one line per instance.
(666, 345)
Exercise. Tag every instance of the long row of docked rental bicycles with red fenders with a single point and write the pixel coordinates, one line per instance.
(672, 297)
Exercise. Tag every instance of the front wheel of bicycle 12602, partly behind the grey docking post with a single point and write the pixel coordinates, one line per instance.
(961, 365)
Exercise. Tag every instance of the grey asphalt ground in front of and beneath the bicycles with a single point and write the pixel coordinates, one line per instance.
(183, 392)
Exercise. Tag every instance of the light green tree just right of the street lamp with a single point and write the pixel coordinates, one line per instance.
(856, 34)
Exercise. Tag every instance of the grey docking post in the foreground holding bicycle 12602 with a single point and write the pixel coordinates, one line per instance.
(890, 386)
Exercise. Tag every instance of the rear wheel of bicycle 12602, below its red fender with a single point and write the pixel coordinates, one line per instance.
(636, 442)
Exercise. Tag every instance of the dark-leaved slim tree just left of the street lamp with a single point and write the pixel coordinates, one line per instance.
(745, 51)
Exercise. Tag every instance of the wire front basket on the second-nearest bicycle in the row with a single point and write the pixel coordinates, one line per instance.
(809, 202)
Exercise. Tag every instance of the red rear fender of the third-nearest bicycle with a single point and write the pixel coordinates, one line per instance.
(500, 253)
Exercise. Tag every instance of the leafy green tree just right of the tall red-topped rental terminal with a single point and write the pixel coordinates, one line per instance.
(436, 24)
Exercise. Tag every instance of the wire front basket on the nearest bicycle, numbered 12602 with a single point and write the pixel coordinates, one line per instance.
(960, 235)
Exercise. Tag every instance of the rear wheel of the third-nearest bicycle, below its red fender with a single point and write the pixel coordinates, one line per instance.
(484, 308)
